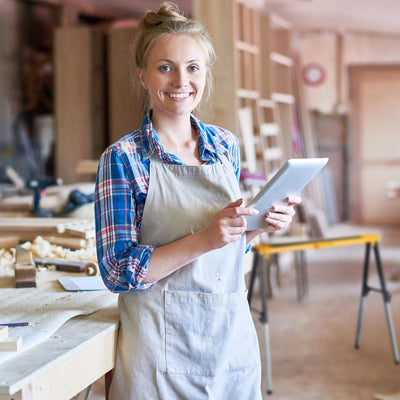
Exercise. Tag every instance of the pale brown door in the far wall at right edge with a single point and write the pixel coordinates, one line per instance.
(374, 144)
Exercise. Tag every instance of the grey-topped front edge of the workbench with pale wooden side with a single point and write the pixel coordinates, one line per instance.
(82, 349)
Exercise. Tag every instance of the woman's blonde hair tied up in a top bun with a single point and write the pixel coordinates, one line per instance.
(169, 20)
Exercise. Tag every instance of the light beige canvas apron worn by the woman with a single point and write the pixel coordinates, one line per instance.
(190, 335)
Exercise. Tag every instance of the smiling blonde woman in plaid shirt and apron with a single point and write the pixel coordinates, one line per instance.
(171, 232)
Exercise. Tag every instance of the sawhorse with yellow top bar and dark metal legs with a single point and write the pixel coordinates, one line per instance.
(263, 252)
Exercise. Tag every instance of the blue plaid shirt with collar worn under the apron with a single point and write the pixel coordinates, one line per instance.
(120, 195)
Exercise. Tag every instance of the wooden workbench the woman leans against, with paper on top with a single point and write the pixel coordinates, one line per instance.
(70, 358)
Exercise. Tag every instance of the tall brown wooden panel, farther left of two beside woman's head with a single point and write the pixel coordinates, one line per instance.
(80, 111)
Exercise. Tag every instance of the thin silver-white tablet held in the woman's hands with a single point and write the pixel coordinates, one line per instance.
(289, 180)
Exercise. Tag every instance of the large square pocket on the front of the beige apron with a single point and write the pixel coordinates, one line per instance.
(208, 334)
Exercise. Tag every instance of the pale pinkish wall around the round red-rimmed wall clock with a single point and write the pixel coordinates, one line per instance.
(335, 52)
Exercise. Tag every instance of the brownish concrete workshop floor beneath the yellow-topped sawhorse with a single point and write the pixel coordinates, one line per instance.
(312, 340)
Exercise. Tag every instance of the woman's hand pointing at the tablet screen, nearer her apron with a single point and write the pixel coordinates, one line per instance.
(228, 225)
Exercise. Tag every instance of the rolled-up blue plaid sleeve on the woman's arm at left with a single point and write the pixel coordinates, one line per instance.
(123, 262)
